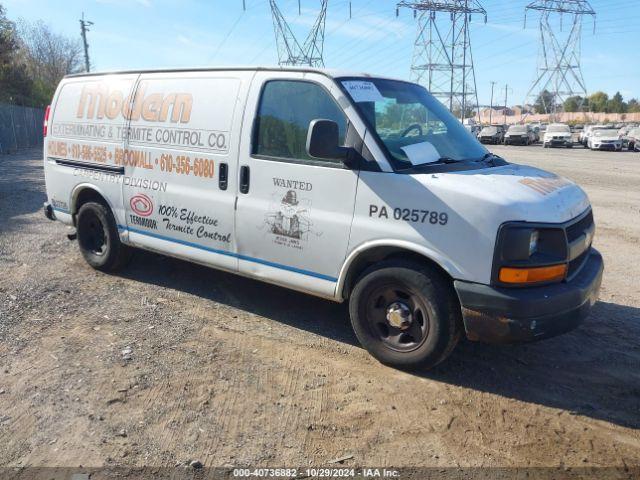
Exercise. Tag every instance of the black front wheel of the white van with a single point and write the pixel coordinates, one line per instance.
(434, 326)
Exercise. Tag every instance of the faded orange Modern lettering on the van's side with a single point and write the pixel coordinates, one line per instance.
(98, 101)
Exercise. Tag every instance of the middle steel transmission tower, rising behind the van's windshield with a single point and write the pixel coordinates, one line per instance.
(442, 58)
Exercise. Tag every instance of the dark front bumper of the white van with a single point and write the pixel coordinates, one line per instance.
(516, 315)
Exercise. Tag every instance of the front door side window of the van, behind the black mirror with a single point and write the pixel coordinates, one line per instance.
(286, 109)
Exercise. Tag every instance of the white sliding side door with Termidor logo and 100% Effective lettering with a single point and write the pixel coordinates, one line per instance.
(180, 160)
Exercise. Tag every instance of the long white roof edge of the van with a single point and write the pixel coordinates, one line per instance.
(332, 73)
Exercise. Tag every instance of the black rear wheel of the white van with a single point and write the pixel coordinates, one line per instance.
(98, 238)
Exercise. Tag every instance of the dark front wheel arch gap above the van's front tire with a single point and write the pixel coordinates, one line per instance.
(365, 260)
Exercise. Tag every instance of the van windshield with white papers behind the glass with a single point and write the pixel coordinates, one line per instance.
(415, 128)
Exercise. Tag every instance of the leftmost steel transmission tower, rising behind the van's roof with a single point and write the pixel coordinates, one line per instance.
(290, 50)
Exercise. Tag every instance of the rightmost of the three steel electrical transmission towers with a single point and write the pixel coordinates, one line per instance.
(559, 71)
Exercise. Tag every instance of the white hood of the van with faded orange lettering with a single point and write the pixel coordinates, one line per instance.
(508, 193)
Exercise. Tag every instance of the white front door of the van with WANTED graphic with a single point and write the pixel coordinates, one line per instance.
(294, 212)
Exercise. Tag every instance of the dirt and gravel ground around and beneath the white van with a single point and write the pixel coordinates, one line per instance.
(169, 362)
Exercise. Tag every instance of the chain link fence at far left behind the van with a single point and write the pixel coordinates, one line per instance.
(20, 127)
